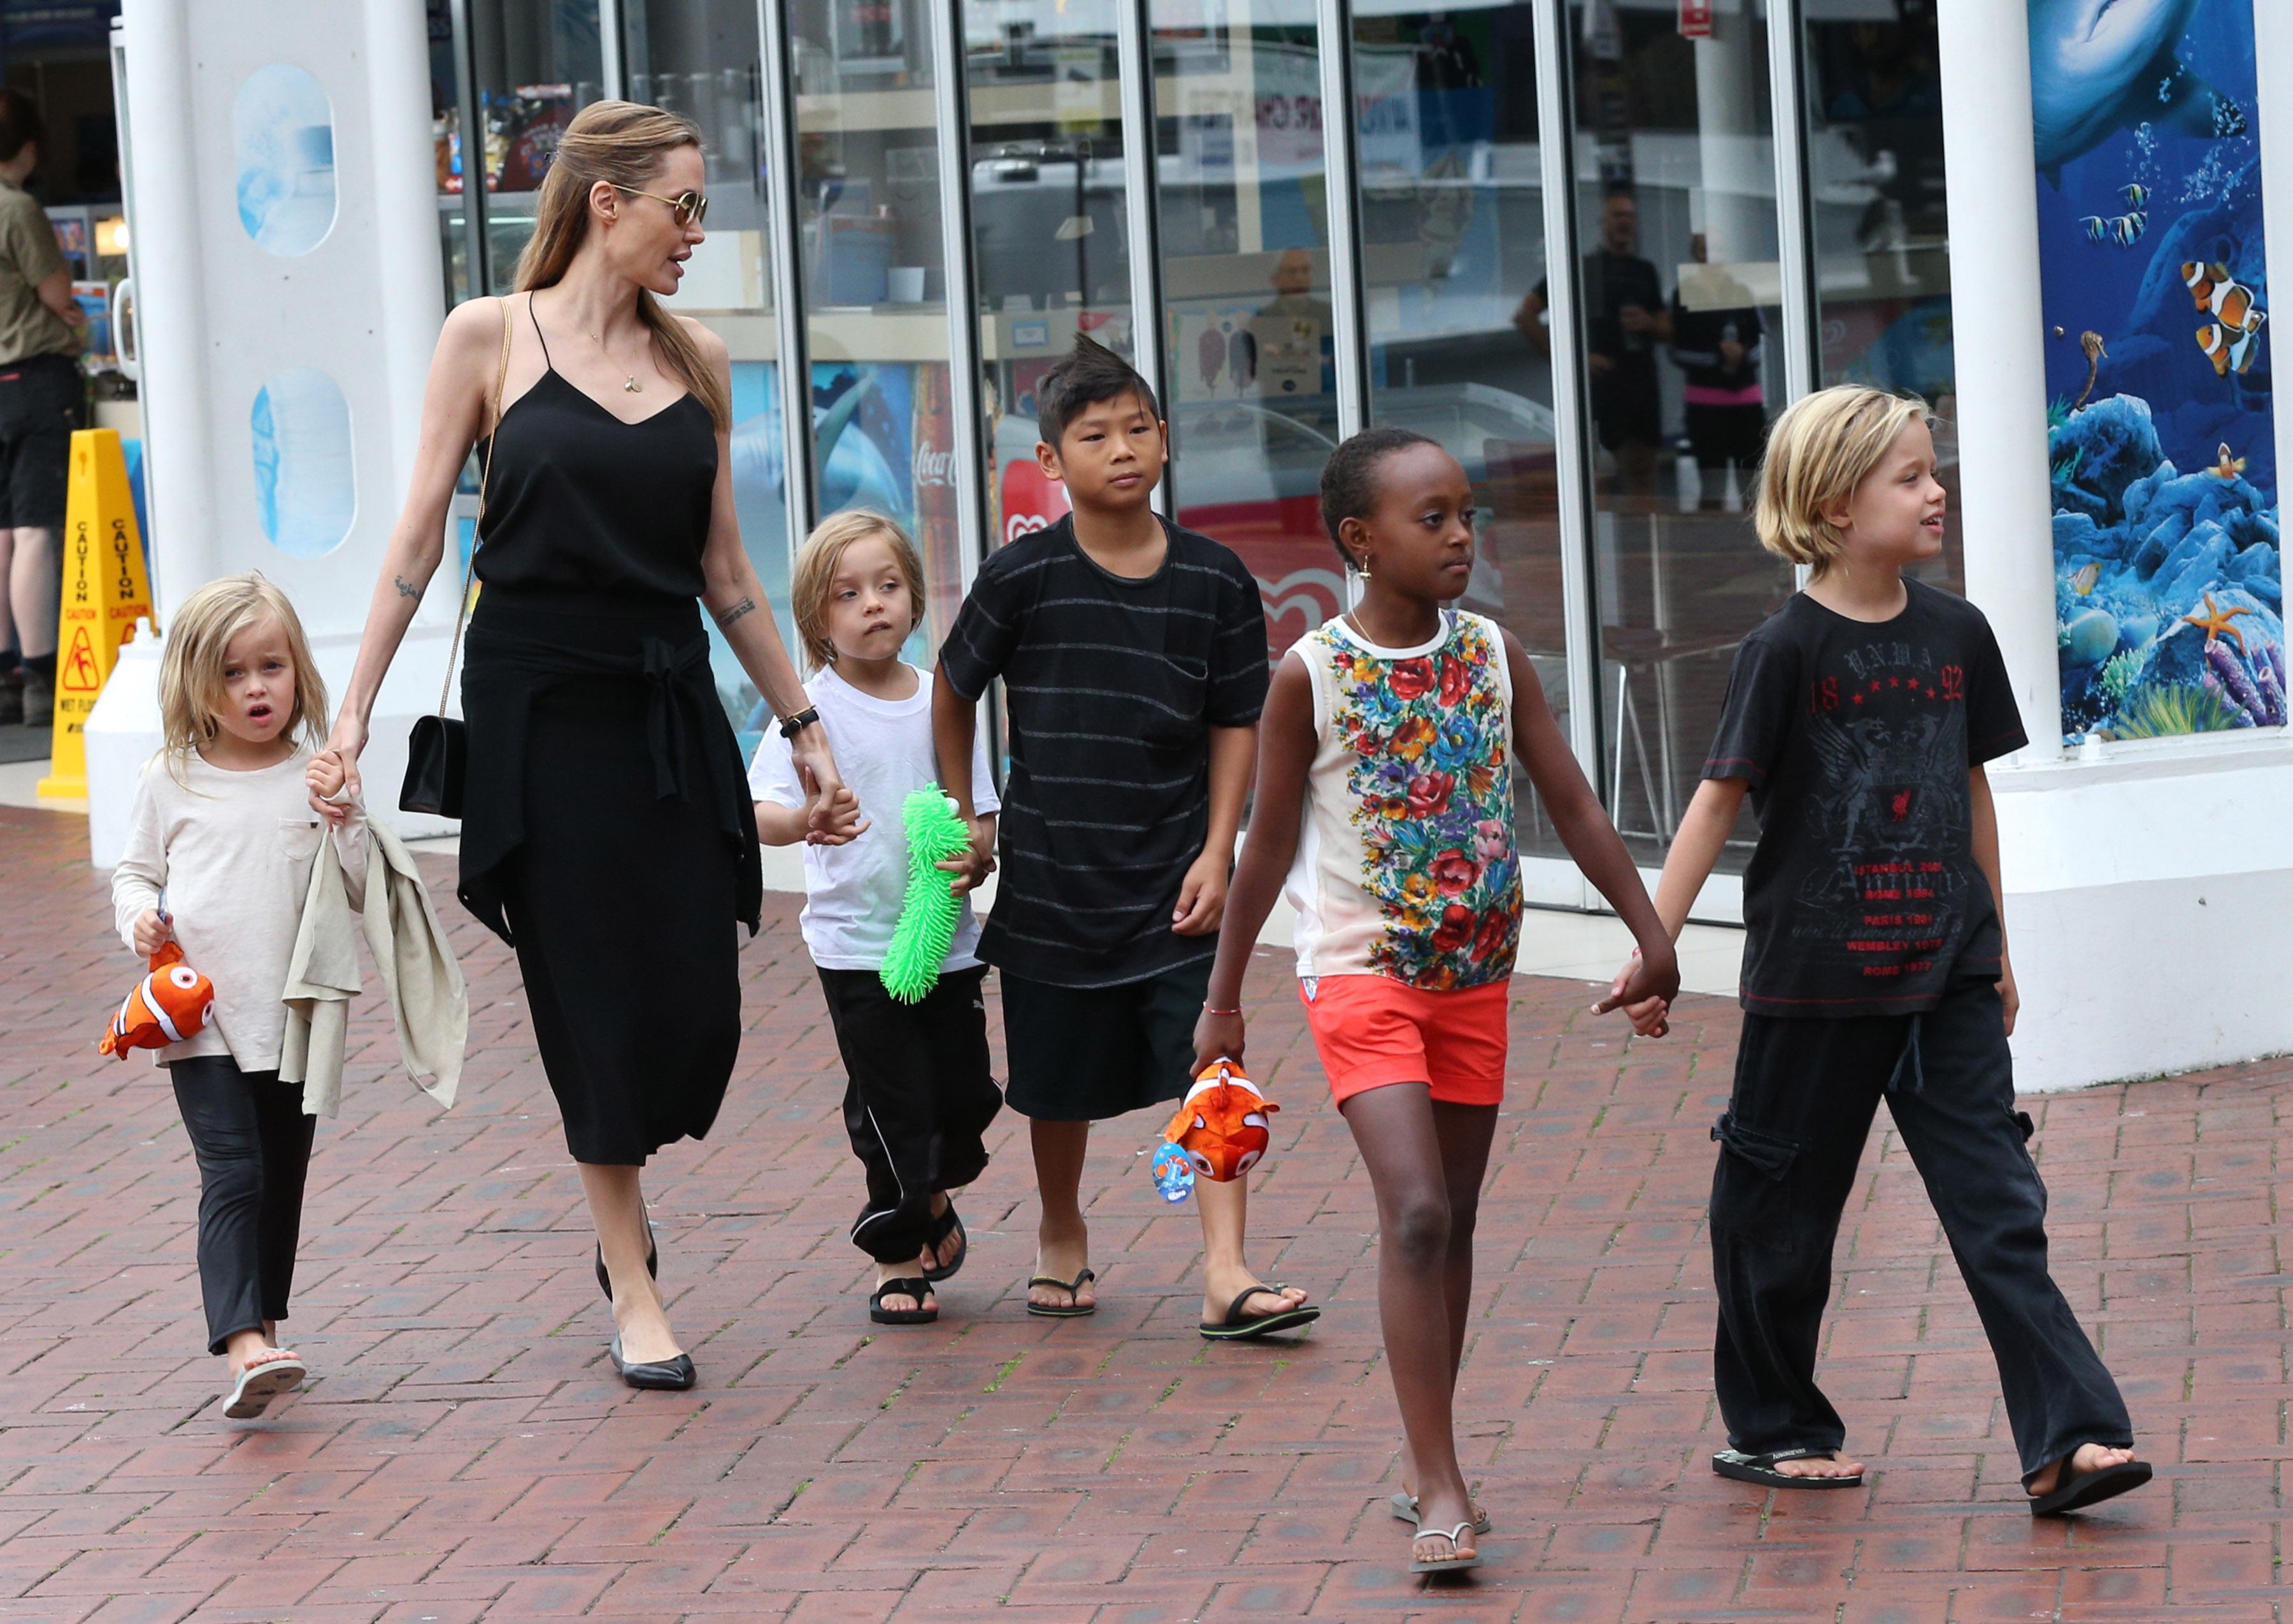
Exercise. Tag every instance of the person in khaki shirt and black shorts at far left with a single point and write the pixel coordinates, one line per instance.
(40, 407)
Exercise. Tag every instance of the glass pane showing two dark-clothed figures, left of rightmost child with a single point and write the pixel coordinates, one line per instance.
(1680, 304)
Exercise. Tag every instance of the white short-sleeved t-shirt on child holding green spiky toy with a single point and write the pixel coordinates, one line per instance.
(884, 751)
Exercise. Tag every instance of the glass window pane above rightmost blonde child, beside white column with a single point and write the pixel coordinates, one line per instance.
(1881, 224)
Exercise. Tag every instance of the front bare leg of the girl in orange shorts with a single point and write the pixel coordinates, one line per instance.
(1402, 1148)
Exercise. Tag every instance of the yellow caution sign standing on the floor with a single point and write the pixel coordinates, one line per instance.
(104, 595)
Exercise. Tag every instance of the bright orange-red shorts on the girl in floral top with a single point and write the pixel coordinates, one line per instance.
(1375, 1031)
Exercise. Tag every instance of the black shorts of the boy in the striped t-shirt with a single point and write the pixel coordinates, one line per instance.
(1086, 1054)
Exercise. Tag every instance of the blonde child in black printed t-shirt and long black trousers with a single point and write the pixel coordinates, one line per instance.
(1858, 719)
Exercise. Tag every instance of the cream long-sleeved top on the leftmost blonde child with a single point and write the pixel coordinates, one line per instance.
(233, 852)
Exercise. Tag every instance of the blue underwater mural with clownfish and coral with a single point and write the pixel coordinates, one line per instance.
(2154, 281)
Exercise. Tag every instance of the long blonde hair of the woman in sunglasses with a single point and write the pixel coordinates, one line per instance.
(625, 146)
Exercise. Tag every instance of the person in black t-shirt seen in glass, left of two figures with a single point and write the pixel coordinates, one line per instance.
(1625, 322)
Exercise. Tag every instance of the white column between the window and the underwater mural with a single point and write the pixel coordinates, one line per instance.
(2001, 341)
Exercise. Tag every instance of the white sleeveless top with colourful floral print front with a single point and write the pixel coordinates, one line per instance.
(1407, 861)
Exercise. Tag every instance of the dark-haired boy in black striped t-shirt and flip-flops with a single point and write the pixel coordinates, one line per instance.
(1134, 662)
